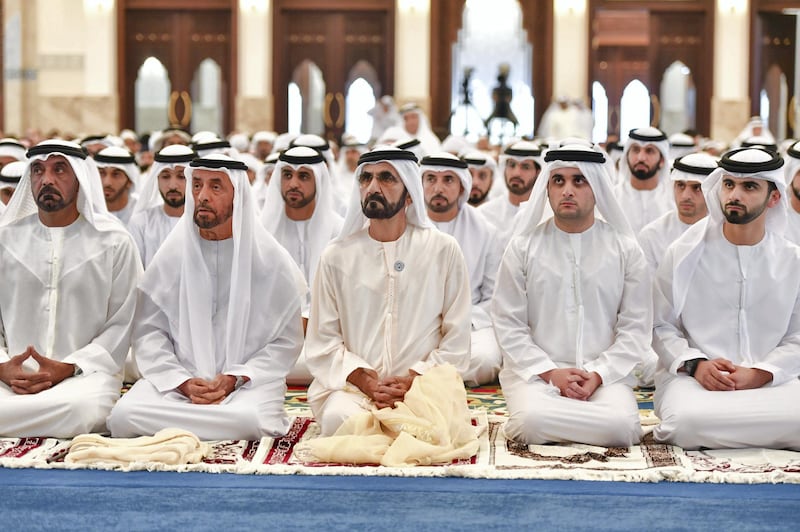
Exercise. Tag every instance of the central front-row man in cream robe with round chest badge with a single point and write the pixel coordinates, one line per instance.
(391, 296)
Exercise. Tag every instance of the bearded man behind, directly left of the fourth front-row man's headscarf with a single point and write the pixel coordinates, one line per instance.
(521, 164)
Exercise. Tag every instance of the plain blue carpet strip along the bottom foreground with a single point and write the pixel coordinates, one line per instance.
(101, 500)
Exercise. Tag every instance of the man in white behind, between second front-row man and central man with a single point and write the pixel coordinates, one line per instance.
(299, 213)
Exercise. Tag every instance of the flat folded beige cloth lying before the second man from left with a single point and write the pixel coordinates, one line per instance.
(168, 446)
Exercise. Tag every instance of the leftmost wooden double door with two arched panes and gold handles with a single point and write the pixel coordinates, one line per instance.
(191, 45)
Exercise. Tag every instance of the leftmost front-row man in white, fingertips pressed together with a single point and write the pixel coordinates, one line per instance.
(67, 306)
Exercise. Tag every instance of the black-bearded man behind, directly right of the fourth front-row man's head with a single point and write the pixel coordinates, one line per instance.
(642, 188)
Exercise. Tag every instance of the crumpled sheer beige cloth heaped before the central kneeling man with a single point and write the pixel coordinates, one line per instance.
(431, 426)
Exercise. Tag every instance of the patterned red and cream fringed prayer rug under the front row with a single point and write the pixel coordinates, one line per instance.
(497, 458)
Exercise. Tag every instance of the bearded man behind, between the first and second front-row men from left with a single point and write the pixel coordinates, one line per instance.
(161, 201)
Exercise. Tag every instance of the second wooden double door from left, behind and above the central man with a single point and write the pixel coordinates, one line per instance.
(334, 45)
